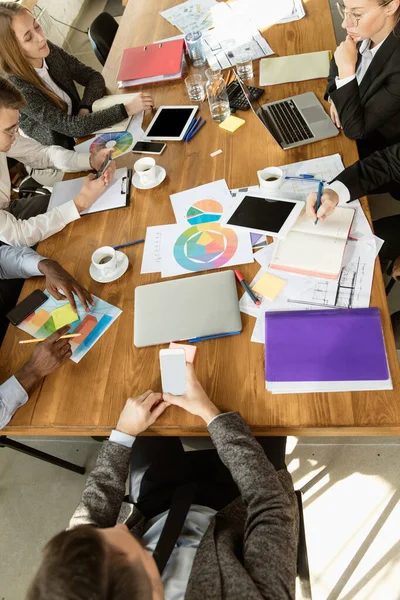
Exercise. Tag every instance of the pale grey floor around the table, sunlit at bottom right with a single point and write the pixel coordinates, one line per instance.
(351, 485)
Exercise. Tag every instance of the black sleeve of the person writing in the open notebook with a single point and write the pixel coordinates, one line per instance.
(377, 171)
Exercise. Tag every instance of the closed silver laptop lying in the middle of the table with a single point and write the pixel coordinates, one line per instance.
(190, 307)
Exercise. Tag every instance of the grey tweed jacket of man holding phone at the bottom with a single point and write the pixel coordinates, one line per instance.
(250, 547)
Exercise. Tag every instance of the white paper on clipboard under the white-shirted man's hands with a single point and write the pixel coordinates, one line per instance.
(114, 195)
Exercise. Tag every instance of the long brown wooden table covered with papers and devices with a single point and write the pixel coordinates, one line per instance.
(86, 399)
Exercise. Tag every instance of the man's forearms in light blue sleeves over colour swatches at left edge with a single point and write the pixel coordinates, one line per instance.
(51, 354)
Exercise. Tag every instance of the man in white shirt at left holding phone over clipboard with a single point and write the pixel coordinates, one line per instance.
(37, 227)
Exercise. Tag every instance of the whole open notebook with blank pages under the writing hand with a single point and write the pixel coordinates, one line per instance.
(315, 250)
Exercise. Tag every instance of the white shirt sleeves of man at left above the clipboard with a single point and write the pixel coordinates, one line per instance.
(29, 232)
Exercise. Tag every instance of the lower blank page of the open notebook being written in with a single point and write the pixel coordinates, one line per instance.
(309, 254)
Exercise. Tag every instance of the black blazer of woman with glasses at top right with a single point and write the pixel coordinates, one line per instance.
(370, 113)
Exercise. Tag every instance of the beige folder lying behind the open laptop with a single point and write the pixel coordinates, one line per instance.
(299, 67)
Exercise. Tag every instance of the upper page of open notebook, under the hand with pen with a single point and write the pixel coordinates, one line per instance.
(337, 225)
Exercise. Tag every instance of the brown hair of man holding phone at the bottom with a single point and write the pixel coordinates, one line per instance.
(79, 565)
